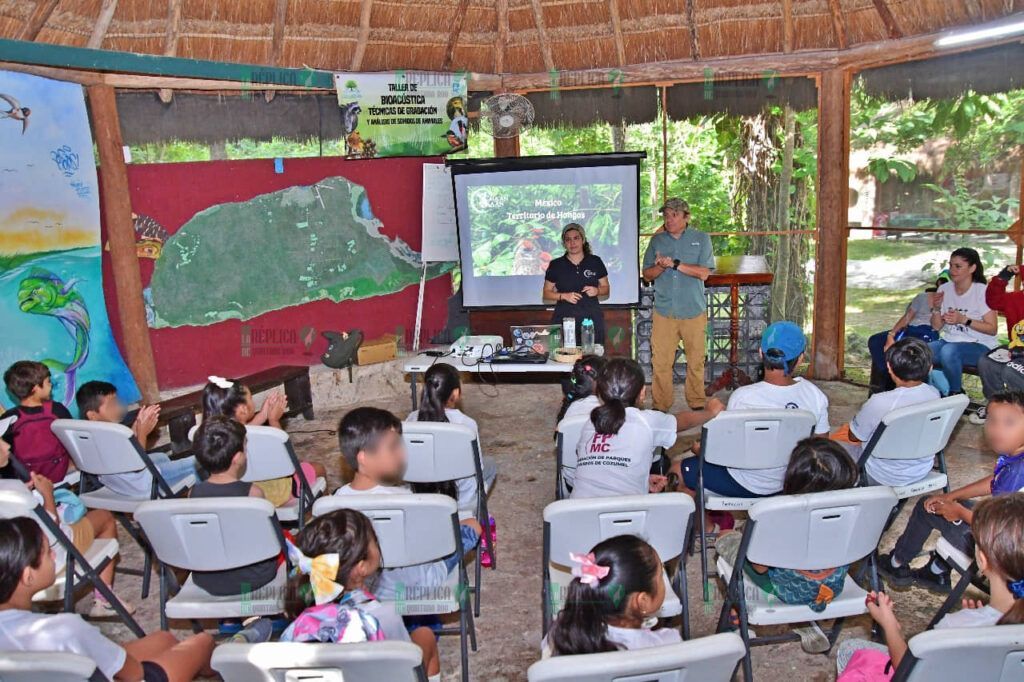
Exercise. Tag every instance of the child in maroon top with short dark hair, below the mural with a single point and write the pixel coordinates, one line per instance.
(31, 439)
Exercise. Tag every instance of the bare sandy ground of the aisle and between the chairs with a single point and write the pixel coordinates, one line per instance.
(517, 423)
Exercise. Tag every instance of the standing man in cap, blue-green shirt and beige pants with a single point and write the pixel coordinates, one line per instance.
(678, 261)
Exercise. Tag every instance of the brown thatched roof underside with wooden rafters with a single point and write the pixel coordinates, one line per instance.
(494, 36)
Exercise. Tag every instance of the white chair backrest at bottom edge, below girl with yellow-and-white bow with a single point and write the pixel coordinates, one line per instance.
(295, 662)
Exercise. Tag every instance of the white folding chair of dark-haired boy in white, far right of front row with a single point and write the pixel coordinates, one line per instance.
(916, 433)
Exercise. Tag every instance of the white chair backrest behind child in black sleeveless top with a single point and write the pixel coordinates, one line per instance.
(210, 534)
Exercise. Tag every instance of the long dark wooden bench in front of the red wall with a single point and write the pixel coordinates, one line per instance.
(179, 414)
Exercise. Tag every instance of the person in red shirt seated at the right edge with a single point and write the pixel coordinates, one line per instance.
(1003, 370)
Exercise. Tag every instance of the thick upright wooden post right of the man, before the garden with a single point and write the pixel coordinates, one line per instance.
(830, 266)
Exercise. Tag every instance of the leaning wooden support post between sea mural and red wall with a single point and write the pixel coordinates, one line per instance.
(121, 236)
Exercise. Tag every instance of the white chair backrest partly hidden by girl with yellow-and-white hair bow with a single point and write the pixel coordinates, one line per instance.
(411, 529)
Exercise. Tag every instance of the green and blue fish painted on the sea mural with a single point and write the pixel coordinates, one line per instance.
(44, 293)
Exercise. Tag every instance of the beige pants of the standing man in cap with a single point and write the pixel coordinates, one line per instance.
(665, 338)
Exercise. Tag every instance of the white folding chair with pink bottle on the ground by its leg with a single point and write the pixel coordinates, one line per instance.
(439, 452)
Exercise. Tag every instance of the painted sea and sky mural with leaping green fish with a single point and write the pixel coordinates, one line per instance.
(52, 290)
